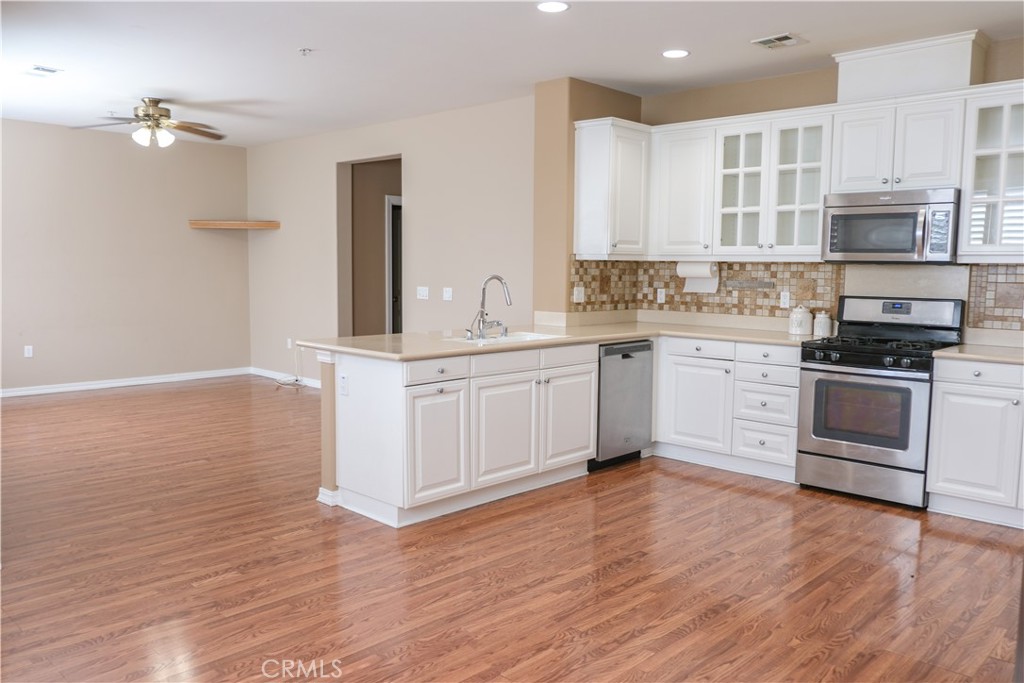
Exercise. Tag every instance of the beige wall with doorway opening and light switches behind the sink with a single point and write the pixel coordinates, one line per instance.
(467, 212)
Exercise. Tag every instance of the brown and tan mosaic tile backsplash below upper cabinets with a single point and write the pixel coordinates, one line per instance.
(995, 301)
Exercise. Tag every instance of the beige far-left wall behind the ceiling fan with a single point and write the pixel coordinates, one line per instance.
(102, 275)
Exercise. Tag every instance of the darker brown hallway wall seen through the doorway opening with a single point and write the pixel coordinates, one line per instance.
(371, 183)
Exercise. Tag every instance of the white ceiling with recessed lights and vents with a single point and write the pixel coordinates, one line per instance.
(237, 66)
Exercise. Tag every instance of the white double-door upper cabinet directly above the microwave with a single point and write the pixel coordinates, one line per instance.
(899, 148)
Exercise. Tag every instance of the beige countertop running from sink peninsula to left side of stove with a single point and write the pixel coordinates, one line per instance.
(419, 347)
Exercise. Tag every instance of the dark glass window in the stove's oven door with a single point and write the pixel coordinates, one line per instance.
(865, 414)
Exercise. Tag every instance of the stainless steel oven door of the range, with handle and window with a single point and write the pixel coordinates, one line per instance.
(871, 416)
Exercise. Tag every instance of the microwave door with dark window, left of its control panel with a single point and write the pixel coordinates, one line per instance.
(875, 234)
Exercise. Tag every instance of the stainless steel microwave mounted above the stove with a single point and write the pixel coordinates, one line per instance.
(902, 227)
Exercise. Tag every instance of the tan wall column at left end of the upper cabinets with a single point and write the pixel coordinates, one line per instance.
(559, 105)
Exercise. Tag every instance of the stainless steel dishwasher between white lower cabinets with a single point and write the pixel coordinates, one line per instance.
(625, 397)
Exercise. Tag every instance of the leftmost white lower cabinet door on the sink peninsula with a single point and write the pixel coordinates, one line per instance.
(438, 431)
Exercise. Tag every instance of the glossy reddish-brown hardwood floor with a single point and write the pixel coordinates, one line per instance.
(170, 533)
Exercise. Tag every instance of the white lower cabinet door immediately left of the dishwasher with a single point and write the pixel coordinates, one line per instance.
(569, 416)
